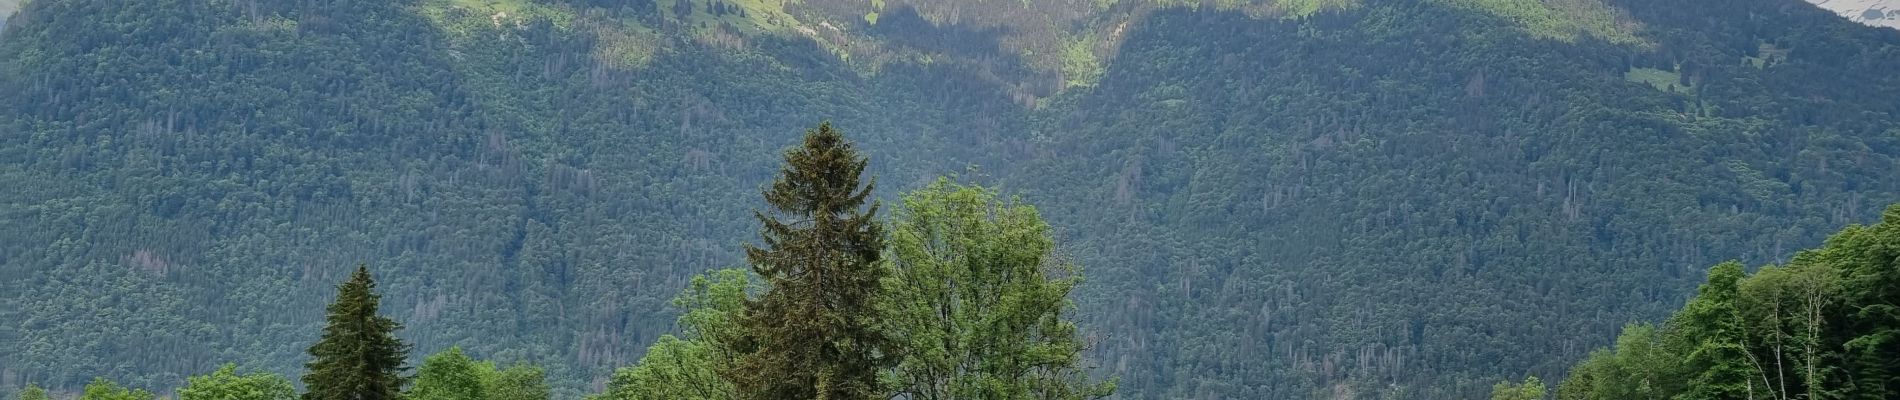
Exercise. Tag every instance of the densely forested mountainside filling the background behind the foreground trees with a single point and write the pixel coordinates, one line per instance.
(1274, 200)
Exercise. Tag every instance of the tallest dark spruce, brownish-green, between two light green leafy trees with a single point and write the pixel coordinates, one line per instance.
(814, 333)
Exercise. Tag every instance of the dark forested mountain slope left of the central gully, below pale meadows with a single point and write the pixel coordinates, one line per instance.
(187, 177)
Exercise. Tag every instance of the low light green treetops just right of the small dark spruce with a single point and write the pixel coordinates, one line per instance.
(457, 376)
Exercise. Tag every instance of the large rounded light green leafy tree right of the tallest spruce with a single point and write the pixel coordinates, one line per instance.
(978, 297)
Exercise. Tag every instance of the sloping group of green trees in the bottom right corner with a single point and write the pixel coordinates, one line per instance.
(1783, 333)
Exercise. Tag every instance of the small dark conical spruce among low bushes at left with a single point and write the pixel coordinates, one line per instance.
(358, 357)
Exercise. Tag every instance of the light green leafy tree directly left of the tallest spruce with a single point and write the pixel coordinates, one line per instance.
(687, 367)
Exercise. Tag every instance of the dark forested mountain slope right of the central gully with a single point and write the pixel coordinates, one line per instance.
(1363, 198)
